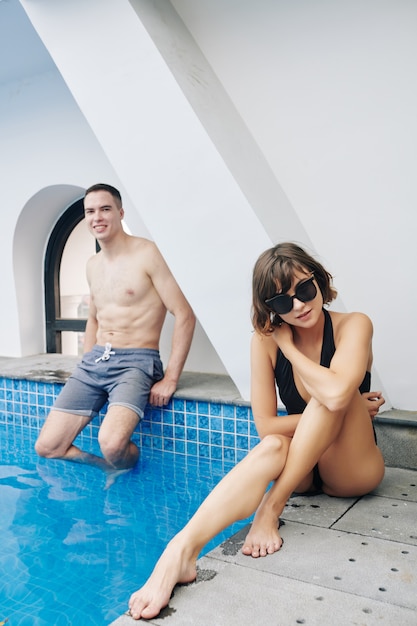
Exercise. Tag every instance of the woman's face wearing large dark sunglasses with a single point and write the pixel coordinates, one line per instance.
(304, 300)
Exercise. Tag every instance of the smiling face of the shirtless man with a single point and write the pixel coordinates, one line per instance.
(102, 215)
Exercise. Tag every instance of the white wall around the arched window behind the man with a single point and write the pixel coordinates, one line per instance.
(48, 156)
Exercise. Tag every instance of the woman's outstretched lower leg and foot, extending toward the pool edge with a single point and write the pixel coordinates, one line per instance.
(236, 497)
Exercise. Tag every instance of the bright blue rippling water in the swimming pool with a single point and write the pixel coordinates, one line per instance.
(71, 553)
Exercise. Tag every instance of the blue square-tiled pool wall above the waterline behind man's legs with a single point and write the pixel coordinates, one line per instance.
(195, 428)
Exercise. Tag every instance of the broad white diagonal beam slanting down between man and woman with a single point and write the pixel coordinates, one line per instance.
(188, 198)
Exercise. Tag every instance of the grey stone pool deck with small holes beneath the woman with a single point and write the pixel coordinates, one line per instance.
(344, 562)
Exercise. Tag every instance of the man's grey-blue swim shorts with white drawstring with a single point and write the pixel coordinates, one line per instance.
(121, 377)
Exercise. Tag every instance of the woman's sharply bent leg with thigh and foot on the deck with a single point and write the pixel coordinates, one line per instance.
(349, 463)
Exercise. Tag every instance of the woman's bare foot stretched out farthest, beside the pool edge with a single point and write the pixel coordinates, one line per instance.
(173, 567)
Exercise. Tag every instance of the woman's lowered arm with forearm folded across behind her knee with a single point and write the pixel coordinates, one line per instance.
(263, 390)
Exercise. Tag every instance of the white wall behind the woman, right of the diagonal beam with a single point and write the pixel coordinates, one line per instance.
(327, 90)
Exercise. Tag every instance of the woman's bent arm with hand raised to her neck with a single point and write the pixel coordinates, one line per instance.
(334, 386)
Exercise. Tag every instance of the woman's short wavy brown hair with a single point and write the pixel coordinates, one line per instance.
(273, 271)
